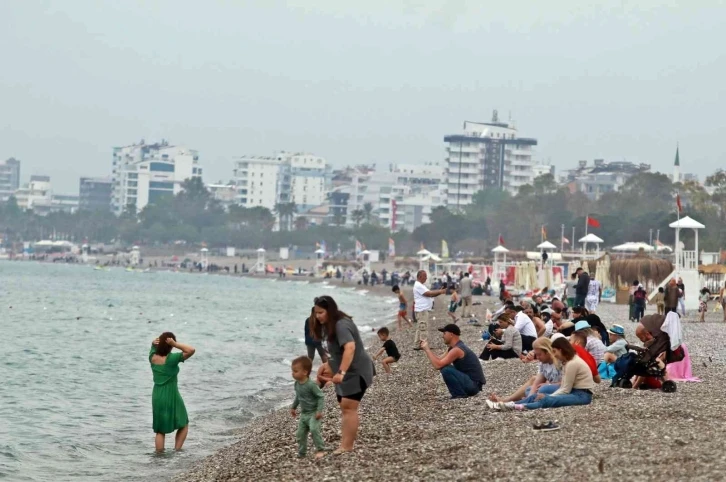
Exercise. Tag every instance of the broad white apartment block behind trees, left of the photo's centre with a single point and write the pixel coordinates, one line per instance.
(285, 177)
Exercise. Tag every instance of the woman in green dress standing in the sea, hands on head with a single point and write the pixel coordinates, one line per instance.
(168, 408)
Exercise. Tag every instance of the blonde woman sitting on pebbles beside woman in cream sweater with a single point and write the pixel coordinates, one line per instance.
(547, 379)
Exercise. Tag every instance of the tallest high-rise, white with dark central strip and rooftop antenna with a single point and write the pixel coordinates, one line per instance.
(486, 155)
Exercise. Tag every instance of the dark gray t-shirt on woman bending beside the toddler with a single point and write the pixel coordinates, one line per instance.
(360, 368)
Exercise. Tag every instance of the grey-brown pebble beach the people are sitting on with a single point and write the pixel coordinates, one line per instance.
(411, 430)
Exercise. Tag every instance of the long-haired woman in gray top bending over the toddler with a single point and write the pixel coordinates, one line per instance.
(352, 367)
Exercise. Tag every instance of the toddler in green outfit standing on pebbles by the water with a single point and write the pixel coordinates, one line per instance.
(312, 401)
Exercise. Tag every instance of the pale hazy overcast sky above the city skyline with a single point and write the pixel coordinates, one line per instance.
(359, 82)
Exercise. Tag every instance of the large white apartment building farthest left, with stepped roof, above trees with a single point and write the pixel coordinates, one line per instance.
(144, 173)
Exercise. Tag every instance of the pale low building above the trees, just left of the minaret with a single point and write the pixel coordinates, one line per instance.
(601, 177)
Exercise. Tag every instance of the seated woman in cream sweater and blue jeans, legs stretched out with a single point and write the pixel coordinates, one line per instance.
(575, 388)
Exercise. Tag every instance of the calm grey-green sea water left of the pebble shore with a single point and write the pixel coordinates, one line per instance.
(75, 397)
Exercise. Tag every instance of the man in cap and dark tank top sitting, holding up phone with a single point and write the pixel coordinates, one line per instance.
(460, 367)
